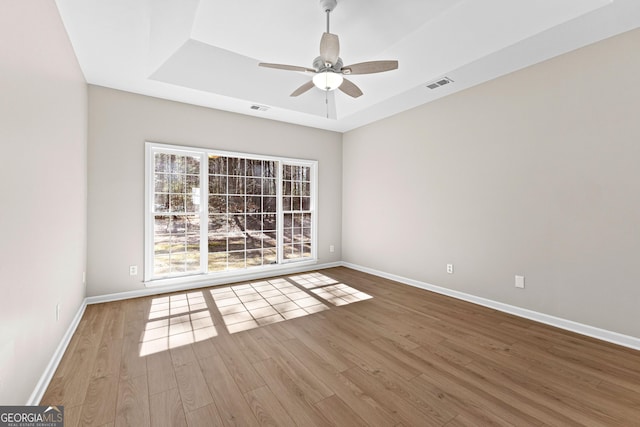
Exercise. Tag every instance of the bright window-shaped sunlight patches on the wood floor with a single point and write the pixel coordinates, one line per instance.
(184, 319)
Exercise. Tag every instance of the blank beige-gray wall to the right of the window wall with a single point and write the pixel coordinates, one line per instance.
(536, 173)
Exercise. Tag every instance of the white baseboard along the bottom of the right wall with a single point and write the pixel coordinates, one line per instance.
(569, 325)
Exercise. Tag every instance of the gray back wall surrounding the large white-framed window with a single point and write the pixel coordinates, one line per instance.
(119, 125)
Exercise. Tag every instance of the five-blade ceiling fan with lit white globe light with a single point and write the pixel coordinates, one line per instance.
(328, 68)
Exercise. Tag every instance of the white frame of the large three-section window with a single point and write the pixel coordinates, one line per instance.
(202, 274)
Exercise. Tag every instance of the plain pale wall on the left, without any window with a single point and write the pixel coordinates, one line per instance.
(43, 128)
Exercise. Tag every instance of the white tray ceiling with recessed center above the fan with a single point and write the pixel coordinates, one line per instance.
(205, 52)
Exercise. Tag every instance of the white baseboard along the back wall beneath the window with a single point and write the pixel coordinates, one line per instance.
(204, 282)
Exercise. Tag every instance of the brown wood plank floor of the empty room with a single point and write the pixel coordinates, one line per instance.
(335, 347)
